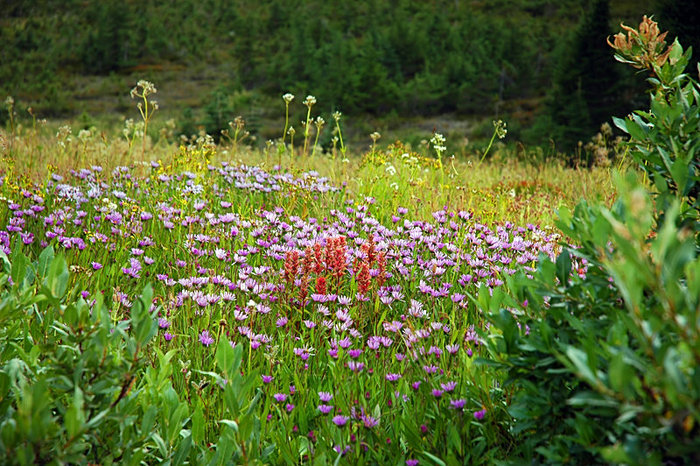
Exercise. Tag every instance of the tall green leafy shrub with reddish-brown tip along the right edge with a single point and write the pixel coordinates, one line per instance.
(602, 346)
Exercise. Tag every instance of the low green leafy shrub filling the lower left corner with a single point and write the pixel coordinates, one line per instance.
(77, 387)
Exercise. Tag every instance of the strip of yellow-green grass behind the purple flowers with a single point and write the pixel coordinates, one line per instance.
(502, 188)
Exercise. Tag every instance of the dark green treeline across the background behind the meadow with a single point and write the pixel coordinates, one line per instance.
(542, 64)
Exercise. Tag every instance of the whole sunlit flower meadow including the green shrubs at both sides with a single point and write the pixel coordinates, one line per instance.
(216, 305)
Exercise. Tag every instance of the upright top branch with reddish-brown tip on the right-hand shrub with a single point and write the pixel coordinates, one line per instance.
(665, 141)
